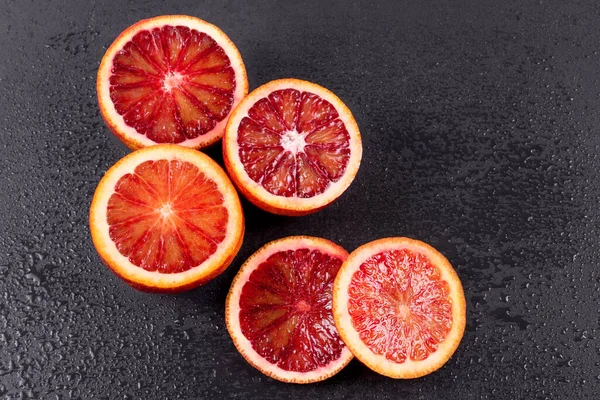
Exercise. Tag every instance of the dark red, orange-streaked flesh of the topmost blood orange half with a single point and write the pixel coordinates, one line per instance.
(172, 83)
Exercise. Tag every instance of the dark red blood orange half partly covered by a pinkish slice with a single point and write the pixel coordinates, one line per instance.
(278, 311)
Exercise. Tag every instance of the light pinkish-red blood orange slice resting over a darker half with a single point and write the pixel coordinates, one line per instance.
(400, 307)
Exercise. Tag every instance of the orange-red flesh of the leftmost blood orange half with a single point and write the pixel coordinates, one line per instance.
(166, 216)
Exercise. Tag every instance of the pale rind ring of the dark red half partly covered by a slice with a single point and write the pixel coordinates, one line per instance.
(232, 310)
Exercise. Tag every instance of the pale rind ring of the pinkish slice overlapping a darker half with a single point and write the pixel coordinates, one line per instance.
(351, 337)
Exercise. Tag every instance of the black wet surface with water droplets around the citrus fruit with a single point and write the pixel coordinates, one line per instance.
(480, 128)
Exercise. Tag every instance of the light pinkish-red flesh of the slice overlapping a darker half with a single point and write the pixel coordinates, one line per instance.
(399, 305)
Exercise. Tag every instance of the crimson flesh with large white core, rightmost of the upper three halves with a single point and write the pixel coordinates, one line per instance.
(293, 143)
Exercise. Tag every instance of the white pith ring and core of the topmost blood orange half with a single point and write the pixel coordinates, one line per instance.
(104, 72)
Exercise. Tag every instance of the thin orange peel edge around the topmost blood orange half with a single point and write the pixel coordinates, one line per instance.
(130, 141)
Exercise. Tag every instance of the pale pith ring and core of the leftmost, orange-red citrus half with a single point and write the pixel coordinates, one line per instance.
(121, 264)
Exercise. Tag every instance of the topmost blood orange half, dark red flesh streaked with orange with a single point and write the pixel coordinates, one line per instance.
(170, 79)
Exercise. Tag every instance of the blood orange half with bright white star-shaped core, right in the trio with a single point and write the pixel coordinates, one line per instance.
(292, 147)
